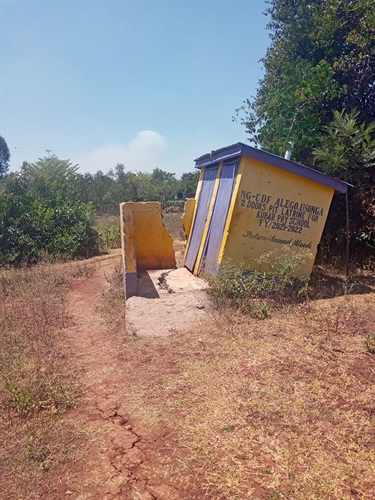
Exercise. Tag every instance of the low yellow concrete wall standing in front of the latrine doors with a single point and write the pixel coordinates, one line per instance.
(145, 241)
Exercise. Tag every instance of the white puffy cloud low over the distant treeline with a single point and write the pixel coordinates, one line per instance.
(143, 153)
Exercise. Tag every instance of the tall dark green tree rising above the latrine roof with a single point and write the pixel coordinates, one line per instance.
(321, 59)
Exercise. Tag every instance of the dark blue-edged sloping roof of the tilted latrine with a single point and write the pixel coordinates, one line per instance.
(241, 149)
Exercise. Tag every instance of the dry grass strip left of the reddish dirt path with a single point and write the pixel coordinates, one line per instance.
(36, 386)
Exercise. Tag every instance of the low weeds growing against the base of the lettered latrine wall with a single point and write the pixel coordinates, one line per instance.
(250, 291)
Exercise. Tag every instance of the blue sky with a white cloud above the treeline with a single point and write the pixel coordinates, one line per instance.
(144, 83)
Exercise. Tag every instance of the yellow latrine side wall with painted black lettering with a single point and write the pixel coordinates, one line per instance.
(274, 210)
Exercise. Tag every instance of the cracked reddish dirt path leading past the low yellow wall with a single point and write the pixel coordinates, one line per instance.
(119, 459)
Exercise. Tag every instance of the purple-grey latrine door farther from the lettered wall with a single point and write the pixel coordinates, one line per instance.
(203, 206)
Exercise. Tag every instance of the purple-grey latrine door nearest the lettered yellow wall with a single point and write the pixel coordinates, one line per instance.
(219, 217)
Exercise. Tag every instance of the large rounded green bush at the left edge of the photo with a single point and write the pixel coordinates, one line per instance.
(40, 212)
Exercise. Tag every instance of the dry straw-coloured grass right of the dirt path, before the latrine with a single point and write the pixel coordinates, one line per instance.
(277, 409)
